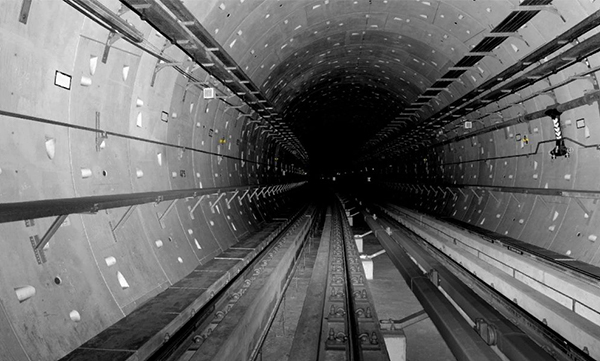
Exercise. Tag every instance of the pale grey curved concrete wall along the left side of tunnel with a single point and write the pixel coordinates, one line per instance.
(104, 276)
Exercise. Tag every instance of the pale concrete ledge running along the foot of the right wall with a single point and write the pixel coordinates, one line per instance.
(549, 295)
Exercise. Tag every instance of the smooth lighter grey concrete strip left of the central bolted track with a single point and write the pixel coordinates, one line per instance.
(238, 335)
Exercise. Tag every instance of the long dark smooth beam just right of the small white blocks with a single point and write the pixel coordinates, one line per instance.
(462, 340)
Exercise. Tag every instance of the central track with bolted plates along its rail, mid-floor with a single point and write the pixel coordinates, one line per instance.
(338, 304)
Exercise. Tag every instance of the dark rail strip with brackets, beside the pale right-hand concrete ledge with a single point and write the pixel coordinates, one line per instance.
(494, 328)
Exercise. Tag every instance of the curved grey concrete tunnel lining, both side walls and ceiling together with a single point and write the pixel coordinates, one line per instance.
(269, 40)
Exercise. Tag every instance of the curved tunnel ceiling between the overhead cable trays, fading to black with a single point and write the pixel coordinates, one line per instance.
(357, 63)
